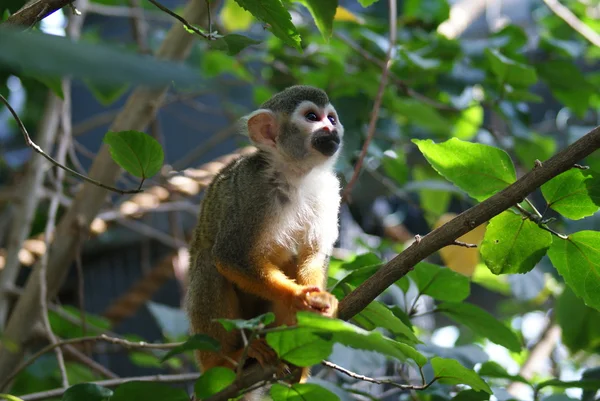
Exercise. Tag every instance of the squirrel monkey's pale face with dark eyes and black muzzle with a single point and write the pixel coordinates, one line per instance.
(312, 132)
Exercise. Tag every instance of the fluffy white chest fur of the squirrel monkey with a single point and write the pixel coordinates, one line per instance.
(305, 212)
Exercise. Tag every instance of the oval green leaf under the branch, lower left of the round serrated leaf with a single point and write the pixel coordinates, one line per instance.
(440, 282)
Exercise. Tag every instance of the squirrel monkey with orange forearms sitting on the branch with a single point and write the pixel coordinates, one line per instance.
(267, 226)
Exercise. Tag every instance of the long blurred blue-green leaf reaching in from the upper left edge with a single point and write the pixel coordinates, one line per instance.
(81, 59)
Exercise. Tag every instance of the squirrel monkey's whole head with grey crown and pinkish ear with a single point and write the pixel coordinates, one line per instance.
(298, 124)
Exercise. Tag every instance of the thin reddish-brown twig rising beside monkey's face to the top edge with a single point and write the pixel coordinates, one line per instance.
(378, 99)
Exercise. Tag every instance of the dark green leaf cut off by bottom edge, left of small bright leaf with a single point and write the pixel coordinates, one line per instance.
(148, 391)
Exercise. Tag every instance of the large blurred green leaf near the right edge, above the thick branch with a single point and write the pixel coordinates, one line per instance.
(575, 92)
